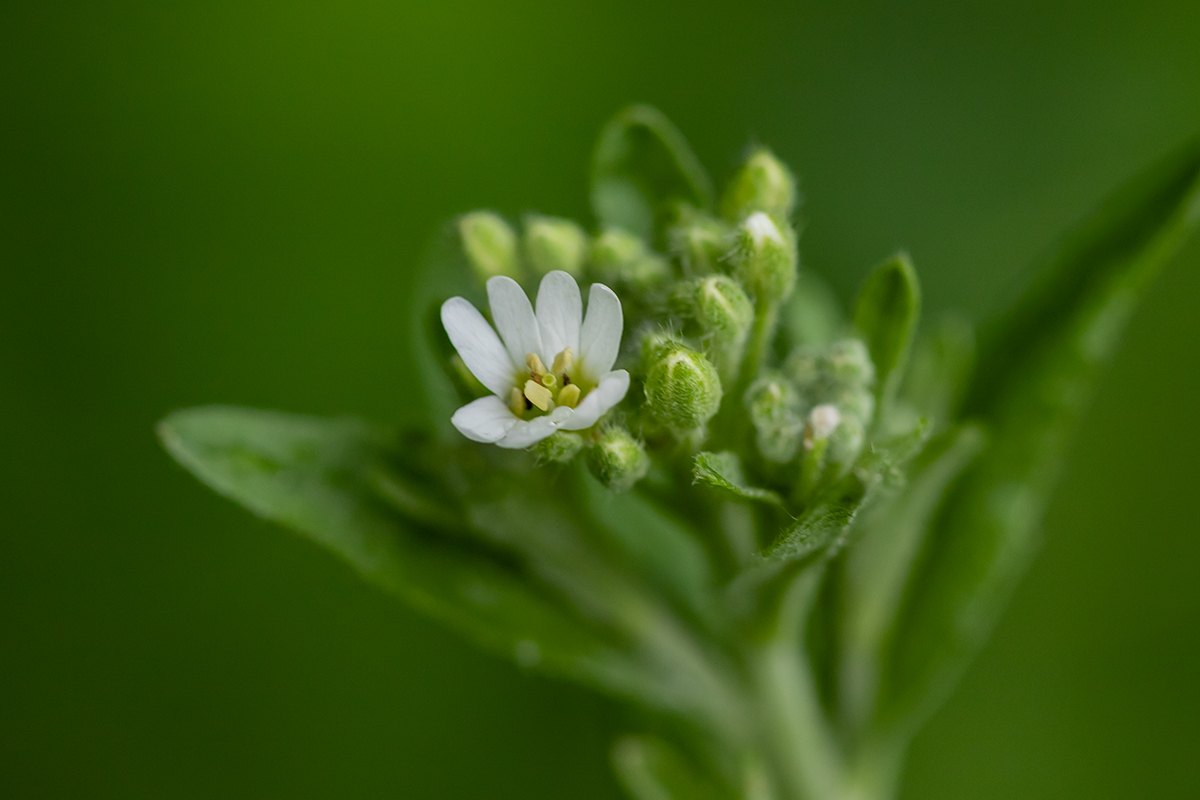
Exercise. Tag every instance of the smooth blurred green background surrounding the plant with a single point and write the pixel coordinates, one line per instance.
(224, 202)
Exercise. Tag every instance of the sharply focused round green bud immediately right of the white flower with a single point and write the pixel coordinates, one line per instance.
(683, 390)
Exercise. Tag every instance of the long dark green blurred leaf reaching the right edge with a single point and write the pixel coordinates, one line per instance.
(1033, 382)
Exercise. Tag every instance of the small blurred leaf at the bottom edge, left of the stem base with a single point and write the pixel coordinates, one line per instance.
(651, 769)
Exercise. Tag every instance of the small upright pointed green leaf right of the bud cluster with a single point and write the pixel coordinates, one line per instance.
(886, 316)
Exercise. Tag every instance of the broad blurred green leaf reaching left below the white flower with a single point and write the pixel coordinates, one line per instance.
(316, 477)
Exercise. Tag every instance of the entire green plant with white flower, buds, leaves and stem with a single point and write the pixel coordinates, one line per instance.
(778, 532)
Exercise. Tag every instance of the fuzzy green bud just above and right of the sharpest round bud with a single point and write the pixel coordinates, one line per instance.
(723, 315)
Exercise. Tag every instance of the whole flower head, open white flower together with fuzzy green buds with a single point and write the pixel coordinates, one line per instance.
(719, 358)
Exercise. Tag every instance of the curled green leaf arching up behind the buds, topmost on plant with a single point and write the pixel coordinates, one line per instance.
(643, 170)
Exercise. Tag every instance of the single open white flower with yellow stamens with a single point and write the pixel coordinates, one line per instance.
(531, 401)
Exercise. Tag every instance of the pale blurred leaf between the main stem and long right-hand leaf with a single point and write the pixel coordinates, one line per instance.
(887, 538)
